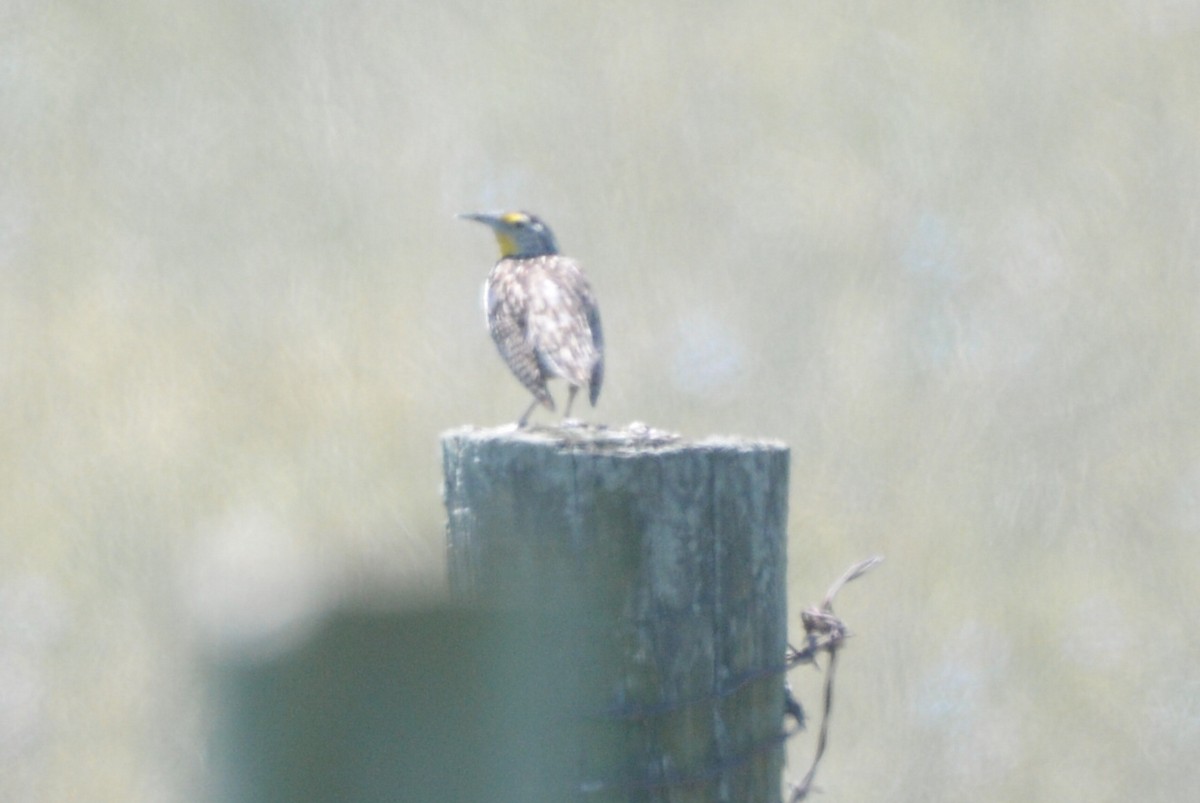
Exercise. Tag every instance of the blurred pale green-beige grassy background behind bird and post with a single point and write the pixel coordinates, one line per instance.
(949, 251)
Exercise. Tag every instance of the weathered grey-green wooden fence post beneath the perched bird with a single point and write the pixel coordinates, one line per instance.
(658, 564)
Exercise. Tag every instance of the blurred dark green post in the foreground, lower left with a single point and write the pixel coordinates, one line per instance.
(445, 704)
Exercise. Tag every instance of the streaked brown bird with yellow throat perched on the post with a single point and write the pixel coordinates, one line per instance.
(542, 313)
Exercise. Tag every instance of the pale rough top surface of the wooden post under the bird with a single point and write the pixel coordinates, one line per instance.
(631, 439)
